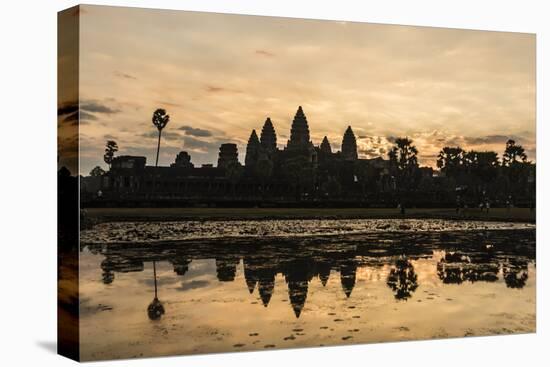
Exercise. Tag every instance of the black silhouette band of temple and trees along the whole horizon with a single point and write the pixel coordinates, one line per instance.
(303, 174)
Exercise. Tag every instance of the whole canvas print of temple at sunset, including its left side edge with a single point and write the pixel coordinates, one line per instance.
(235, 183)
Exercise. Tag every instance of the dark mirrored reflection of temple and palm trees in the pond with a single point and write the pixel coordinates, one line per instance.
(483, 257)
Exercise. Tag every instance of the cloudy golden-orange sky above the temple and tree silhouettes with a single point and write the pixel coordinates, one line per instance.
(220, 76)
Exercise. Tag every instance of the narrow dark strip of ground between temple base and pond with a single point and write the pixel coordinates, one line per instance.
(166, 214)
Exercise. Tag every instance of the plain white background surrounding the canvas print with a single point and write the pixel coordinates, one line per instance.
(28, 181)
